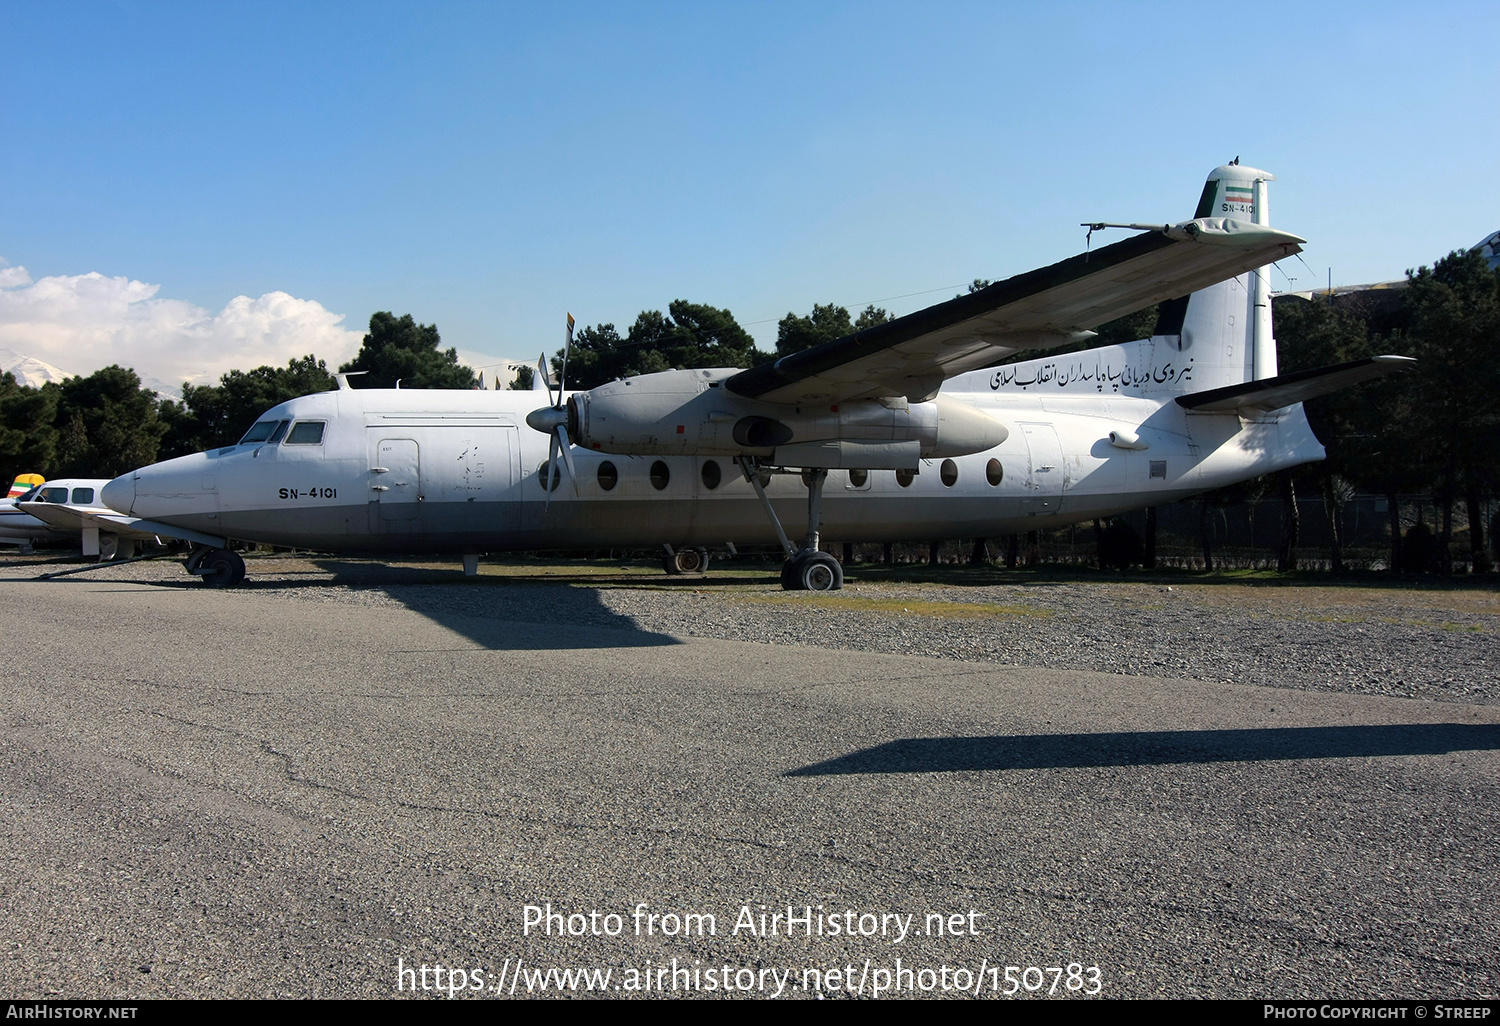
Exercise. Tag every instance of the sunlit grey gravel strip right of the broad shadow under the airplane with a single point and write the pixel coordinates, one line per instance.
(1270, 638)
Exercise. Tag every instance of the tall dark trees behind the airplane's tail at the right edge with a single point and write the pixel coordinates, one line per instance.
(1435, 430)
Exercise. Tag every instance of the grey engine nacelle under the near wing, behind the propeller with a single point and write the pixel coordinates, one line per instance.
(688, 413)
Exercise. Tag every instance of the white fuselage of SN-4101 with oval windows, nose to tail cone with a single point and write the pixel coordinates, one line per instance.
(460, 472)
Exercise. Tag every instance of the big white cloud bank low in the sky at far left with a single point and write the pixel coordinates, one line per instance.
(89, 322)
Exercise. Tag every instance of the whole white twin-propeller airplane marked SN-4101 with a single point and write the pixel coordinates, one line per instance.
(907, 431)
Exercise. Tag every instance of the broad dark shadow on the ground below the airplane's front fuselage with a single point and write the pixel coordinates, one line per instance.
(527, 619)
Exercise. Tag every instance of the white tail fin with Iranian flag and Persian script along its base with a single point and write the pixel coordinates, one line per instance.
(1214, 338)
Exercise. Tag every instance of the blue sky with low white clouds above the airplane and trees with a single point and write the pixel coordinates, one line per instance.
(490, 167)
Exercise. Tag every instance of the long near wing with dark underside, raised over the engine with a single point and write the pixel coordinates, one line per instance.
(913, 355)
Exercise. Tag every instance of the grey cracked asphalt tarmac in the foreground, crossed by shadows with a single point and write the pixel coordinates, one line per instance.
(235, 794)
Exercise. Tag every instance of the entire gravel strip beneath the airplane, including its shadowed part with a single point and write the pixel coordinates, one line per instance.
(1435, 643)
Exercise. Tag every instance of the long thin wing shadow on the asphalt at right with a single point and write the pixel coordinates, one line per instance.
(1159, 748)
